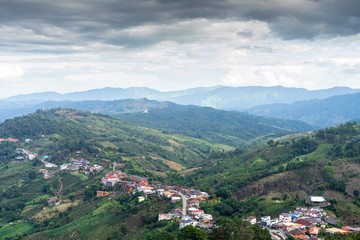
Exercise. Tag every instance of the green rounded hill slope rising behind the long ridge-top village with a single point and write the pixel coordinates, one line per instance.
(75, 130)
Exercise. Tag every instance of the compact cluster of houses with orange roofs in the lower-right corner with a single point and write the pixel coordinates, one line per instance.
(303, 223)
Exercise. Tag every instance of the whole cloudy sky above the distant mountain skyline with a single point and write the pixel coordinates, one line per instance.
(76, 45)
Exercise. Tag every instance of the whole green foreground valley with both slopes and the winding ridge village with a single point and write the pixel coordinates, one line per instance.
(120, 179)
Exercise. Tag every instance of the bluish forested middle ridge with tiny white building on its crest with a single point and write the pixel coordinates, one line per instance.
(216, 126)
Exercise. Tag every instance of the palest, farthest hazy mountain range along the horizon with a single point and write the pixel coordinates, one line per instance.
(229, 98)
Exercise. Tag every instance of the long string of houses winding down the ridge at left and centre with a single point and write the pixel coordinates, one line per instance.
(188, 214)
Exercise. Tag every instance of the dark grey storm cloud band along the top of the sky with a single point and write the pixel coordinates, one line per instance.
(104, 21)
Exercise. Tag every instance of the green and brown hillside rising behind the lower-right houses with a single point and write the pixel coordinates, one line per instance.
(275, 177)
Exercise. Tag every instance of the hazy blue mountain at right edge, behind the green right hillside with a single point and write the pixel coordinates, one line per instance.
(326, 112)
